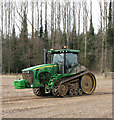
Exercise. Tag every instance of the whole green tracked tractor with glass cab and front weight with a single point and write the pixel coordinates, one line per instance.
(63, 75)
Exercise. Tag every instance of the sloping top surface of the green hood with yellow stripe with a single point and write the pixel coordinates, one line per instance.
(39, 67)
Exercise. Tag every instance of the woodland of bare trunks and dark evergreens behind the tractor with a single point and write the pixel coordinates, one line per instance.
(23, 49)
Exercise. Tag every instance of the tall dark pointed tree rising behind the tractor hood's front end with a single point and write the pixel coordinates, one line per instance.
(23, 44)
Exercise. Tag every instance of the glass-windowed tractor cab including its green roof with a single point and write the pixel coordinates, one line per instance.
(65, 59)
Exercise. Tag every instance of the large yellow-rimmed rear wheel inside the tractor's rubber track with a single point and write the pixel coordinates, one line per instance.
(88, 83)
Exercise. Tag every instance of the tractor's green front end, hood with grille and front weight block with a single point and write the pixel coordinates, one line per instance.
(31, 79)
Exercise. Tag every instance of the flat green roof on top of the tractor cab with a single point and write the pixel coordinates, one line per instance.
(64, 51)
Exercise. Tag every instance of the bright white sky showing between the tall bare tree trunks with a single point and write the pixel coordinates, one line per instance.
(95, 14)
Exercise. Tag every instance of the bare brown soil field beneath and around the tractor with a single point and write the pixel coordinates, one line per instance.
(24, 104)
